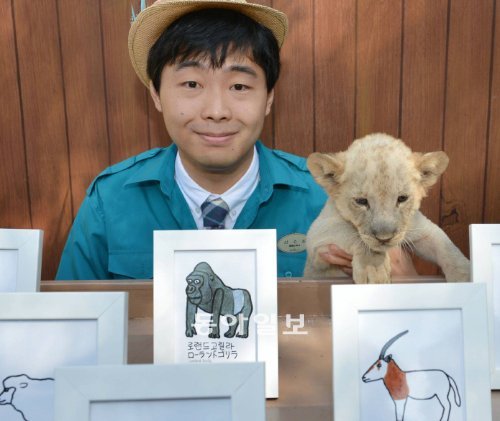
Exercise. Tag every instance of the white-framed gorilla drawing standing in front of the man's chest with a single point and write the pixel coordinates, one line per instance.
(228, 271)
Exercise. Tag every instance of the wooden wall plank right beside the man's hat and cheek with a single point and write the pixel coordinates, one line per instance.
(294, 102)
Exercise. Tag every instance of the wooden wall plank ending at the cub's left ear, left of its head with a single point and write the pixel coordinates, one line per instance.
(335, 74)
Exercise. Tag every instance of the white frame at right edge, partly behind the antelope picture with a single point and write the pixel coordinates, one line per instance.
(485, 262)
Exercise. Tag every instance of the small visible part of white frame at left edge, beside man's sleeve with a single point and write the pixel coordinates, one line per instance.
(20, 260)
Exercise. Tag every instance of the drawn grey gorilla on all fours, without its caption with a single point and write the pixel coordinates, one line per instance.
(206, 290)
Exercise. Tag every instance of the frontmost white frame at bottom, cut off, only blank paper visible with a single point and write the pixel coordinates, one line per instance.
(209, 392)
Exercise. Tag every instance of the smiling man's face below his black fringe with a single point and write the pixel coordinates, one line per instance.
(214, 116)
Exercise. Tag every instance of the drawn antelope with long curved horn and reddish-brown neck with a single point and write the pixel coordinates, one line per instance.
(415, 384)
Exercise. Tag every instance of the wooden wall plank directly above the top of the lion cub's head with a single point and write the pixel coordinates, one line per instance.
(379, 66)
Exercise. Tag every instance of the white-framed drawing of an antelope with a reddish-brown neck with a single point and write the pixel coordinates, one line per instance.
(426, 344)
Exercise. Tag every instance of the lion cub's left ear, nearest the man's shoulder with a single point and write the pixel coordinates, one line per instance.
(327, 168)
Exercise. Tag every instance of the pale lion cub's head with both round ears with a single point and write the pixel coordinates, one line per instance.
(377, 185)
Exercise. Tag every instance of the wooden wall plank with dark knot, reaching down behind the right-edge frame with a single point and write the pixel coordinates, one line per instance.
(466, 118)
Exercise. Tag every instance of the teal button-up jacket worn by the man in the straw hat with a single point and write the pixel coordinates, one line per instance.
(112, 235)
